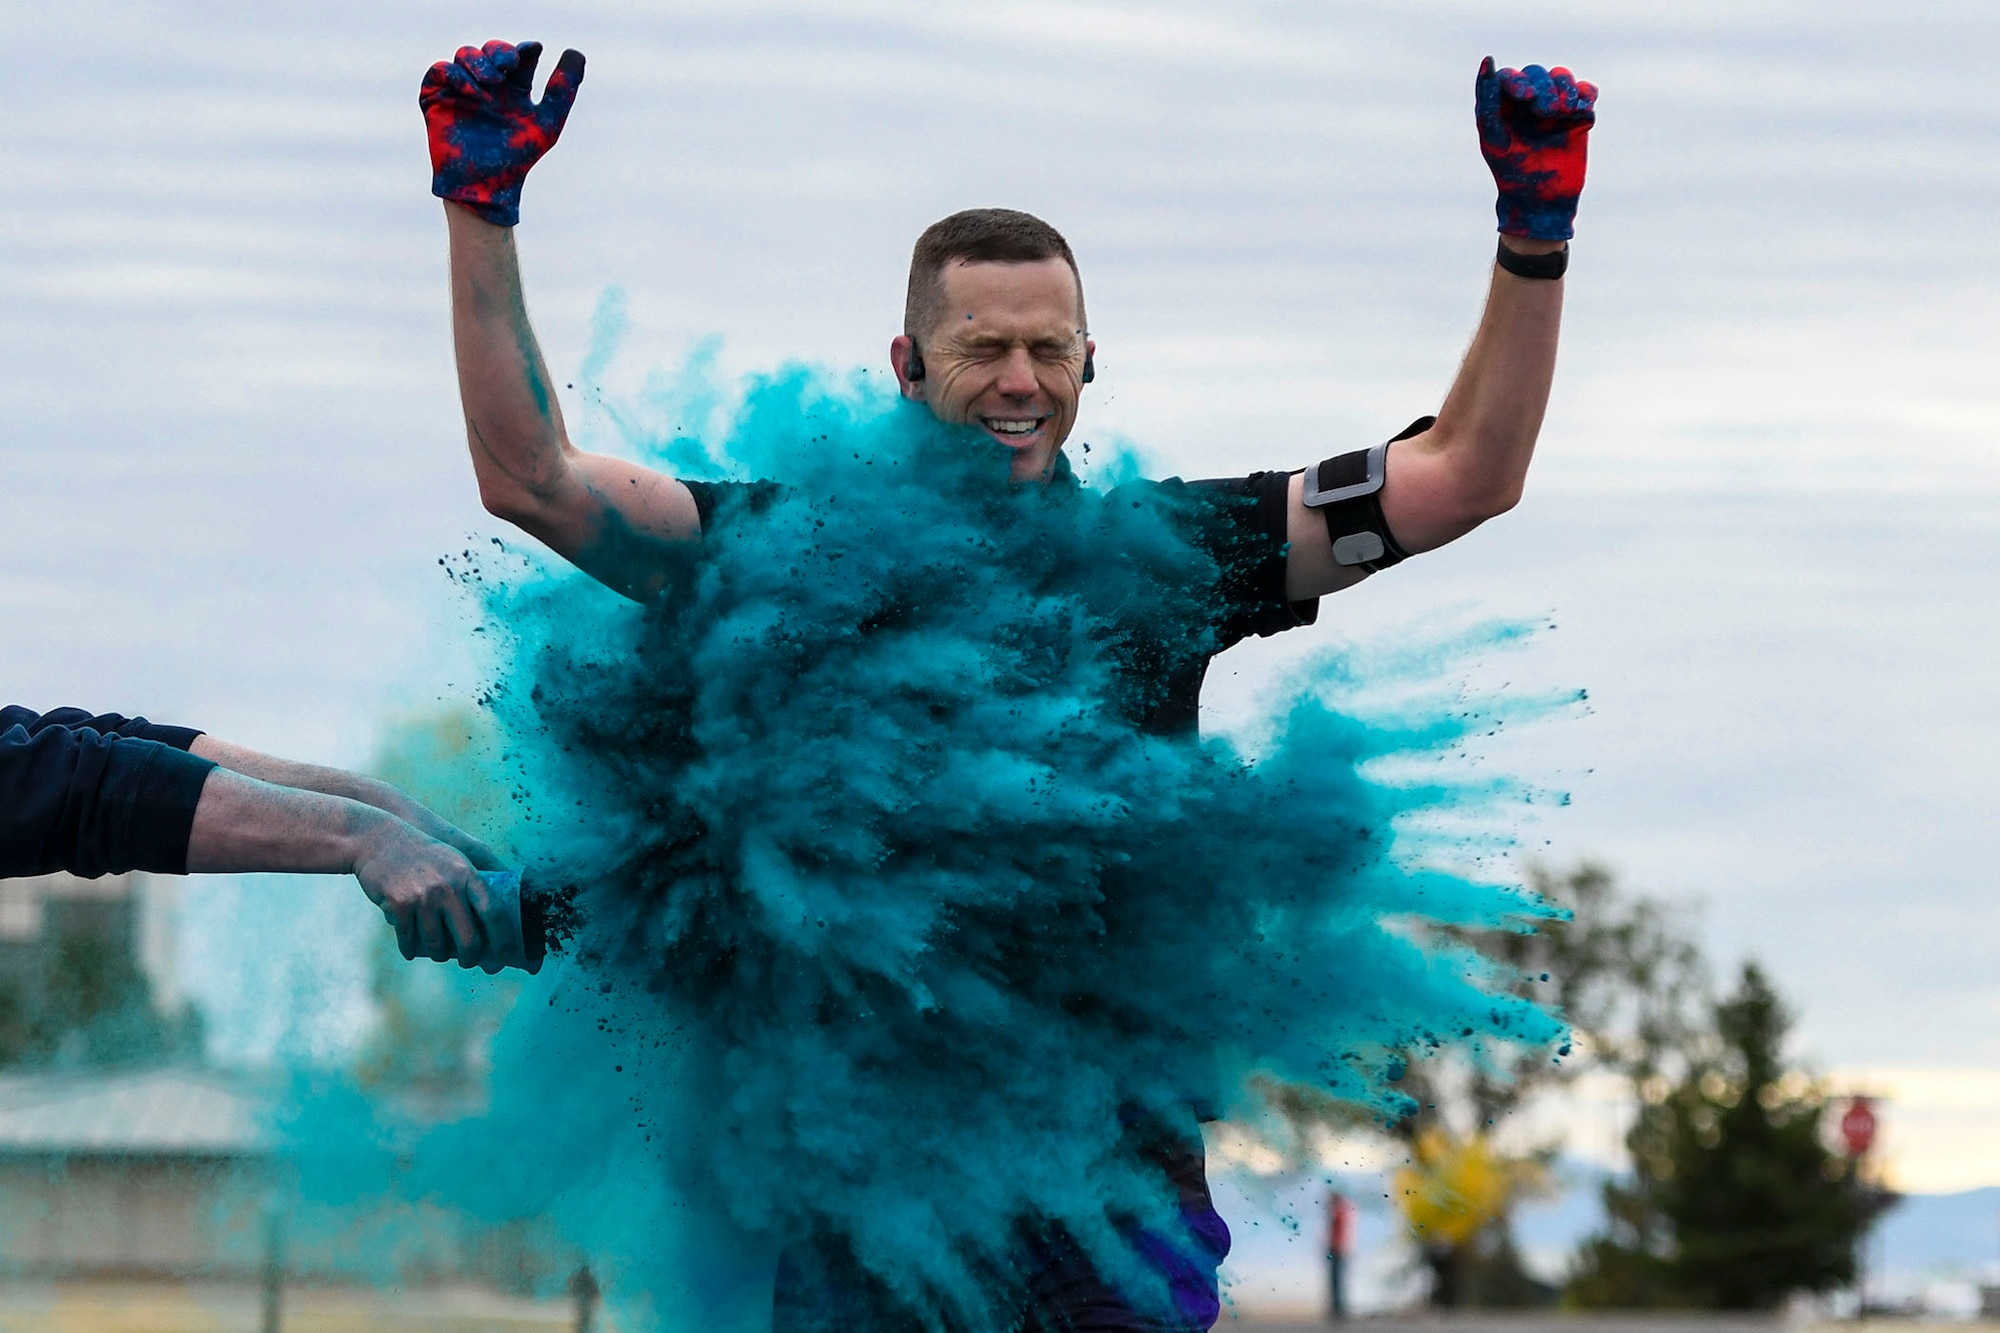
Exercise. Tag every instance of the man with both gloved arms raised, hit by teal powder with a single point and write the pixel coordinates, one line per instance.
(995, 339)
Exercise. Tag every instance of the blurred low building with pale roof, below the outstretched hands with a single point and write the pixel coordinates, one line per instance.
(173, 1174)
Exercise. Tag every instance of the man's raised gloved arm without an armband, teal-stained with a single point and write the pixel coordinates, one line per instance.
(613, 519)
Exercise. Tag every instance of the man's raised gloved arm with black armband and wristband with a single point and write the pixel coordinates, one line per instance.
(1471, 465)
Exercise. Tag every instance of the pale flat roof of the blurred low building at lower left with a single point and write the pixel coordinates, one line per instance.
(135, 1114)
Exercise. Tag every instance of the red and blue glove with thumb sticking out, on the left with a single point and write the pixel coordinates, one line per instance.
(487, 129)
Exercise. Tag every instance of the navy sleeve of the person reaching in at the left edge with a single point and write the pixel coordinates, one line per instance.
(93, 802)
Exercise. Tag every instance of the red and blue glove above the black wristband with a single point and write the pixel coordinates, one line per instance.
(1535, 129)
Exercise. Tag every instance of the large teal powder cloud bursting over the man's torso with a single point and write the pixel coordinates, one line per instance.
(899, 926)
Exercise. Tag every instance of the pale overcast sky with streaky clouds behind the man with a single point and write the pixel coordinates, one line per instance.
(1765, 513)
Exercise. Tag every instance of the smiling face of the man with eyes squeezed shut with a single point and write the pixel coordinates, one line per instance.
(1005, 357)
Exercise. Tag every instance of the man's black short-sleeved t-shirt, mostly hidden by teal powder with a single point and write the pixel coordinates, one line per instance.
(1239, 521)
